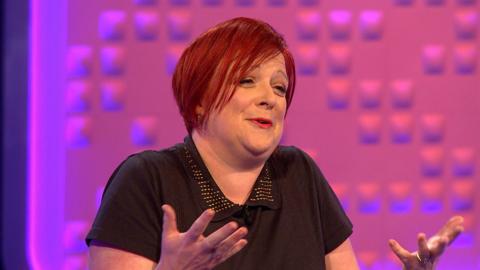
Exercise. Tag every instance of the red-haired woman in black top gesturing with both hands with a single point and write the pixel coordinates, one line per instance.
(230, 197)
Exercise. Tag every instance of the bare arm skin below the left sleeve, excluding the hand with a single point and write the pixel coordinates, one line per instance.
(103, 257)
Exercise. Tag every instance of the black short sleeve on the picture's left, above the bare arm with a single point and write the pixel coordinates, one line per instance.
(129, 217)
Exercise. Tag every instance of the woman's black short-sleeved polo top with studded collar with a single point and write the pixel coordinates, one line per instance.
(292, 215)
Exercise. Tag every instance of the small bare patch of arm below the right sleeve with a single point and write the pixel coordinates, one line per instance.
(342, 257)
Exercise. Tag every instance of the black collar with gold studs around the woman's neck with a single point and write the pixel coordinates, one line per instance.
(264, 192)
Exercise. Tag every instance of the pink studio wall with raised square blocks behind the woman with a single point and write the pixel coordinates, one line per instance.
(387, 102)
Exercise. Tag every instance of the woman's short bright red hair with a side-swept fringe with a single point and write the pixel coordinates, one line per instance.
(212, 66)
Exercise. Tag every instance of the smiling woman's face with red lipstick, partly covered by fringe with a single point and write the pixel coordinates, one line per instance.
(251, 123)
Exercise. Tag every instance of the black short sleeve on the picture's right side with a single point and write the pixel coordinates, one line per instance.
(336, 226)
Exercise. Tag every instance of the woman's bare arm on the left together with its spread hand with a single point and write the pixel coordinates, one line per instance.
(180, 251)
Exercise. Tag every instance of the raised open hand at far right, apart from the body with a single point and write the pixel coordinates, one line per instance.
(428, 250)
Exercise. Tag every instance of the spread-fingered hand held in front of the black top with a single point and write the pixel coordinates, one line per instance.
(192, 250)
